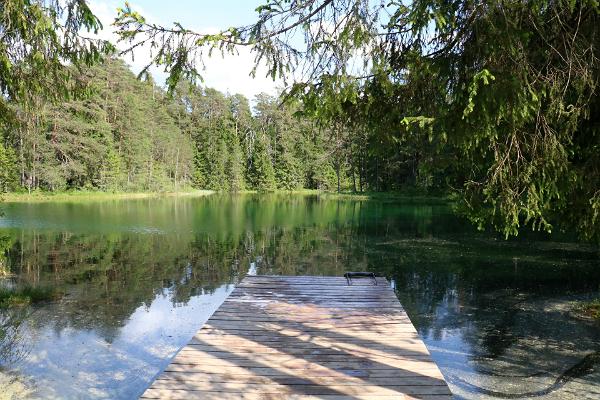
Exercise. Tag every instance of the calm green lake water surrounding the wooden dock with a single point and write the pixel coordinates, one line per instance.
(139, 277)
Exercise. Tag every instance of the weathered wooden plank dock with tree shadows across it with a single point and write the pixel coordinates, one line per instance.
(301, 337)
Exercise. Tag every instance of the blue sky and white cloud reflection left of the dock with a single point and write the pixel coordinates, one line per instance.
(78, 363)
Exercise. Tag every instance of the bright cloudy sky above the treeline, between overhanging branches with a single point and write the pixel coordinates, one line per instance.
(229, 74)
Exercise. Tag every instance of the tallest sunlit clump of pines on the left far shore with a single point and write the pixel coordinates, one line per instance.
(121, 137)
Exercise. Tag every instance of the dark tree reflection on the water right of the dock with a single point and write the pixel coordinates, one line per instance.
(498, 296)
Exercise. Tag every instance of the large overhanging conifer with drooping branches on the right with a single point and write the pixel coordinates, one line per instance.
(494, 101)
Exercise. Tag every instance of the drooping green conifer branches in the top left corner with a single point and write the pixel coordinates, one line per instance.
(40, 39)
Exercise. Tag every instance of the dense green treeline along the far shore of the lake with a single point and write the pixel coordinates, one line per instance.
(124, 134)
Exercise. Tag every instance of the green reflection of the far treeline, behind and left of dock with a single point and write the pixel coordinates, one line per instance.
(106, 272)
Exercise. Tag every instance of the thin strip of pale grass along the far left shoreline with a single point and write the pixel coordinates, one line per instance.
(89, 195)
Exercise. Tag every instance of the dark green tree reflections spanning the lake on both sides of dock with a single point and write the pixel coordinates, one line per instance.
(446, 274)
